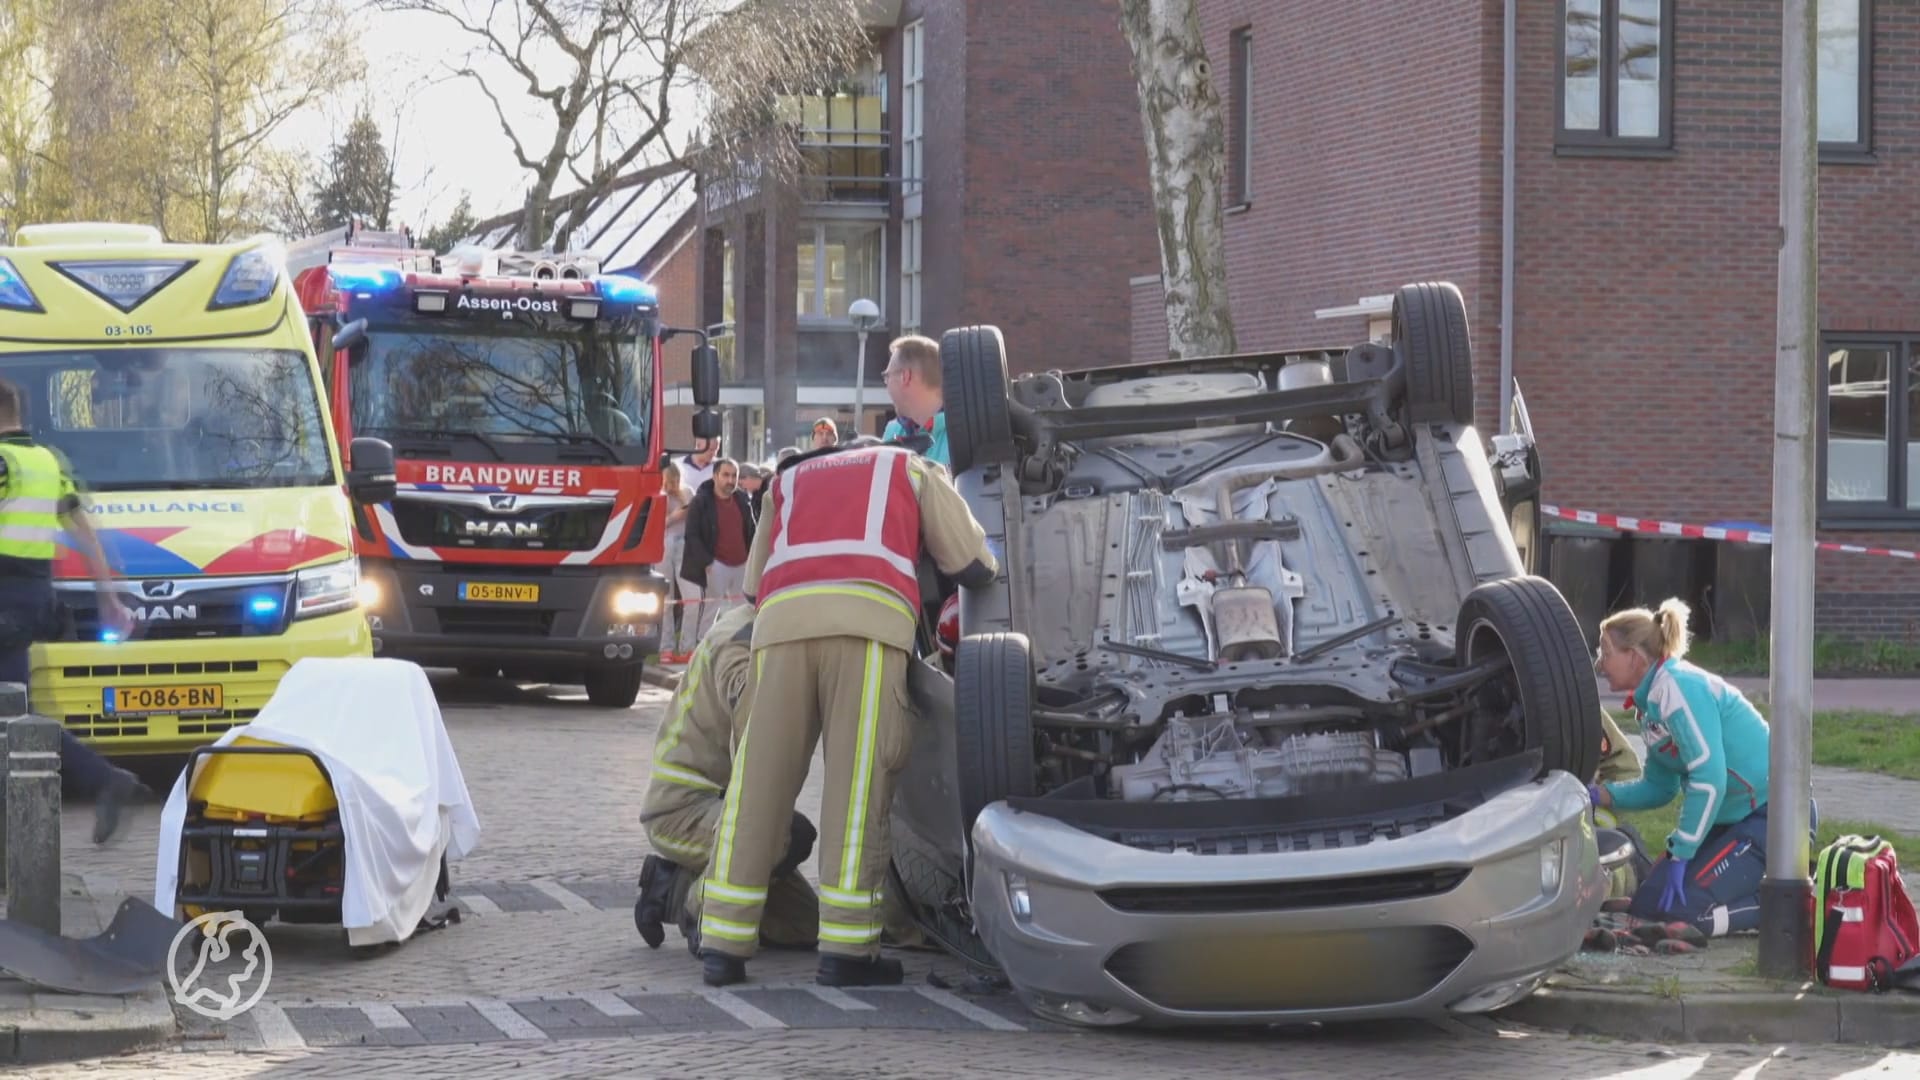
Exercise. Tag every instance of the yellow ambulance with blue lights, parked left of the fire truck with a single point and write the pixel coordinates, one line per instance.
(181, 387)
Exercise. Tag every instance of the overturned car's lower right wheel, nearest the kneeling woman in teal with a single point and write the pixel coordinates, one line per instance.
(1548, 699)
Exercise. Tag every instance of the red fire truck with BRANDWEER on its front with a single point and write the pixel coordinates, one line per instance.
(521, 399)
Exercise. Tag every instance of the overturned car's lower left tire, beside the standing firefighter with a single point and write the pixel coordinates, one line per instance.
(994, 722)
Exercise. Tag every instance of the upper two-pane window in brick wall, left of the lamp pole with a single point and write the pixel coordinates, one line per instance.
(1616, 61)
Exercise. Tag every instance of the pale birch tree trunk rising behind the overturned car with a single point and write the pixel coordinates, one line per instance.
(1186, 159)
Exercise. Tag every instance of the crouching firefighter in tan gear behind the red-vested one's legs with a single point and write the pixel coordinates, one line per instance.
(686, 793)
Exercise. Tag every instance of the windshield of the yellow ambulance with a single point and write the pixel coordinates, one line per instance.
(178, 418)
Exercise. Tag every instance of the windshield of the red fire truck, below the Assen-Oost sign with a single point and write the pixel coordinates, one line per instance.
(585, 383)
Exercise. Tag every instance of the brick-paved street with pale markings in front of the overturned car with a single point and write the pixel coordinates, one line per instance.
(546, 977)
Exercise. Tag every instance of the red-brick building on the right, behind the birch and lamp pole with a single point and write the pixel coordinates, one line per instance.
(1370, 151)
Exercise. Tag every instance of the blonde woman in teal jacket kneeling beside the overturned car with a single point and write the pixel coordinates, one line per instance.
(1708, 745)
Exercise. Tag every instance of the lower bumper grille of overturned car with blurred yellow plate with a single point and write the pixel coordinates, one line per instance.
(1312, 970)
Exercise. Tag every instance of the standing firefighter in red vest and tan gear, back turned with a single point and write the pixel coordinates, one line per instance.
(834, 574)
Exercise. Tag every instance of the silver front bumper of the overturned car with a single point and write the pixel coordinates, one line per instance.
(1460, 918)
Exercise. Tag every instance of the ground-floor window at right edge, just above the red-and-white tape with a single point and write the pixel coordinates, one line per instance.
(1871, 430)
